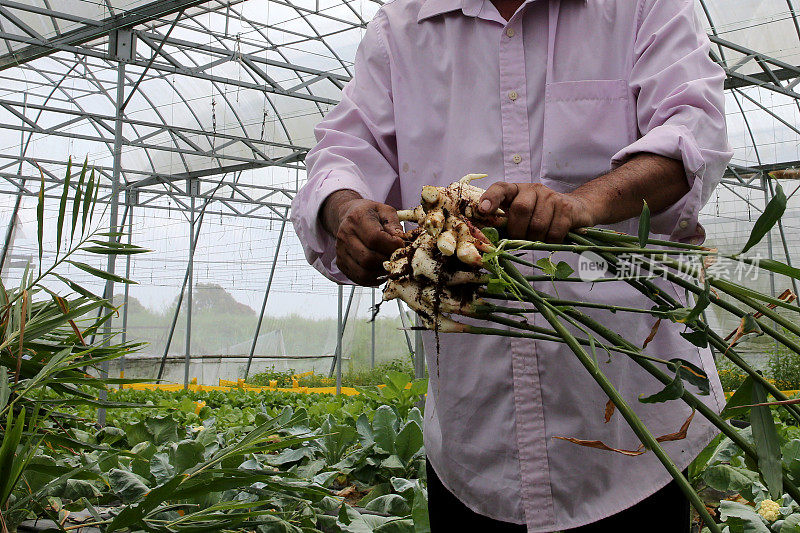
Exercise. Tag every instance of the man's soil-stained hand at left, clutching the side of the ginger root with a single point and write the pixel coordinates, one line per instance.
(366, 234)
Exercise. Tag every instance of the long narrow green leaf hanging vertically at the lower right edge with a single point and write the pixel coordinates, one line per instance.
(767, 443)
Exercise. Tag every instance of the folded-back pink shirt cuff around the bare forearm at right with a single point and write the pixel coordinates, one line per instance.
(679, 221)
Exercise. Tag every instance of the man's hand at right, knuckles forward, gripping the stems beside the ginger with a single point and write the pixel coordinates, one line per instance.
(536, 212)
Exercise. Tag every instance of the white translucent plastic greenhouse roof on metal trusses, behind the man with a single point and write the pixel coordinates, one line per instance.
(203, 105)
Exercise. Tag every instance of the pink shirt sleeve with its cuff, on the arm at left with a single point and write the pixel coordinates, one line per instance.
(356, 149)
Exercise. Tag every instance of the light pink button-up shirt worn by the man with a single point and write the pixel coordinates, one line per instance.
(560, 93)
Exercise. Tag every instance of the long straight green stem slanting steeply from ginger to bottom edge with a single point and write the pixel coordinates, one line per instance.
(625, 410)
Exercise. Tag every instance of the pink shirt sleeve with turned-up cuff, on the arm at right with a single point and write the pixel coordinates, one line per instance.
(680, 108)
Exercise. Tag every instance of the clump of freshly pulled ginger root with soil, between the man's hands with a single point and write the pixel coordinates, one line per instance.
(438, 271)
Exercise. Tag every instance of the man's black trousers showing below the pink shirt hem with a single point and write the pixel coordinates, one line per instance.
(665, 511)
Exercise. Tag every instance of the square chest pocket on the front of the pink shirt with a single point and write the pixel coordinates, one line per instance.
(585, 124)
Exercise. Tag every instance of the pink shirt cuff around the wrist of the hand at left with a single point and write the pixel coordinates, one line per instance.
(318, 245)
